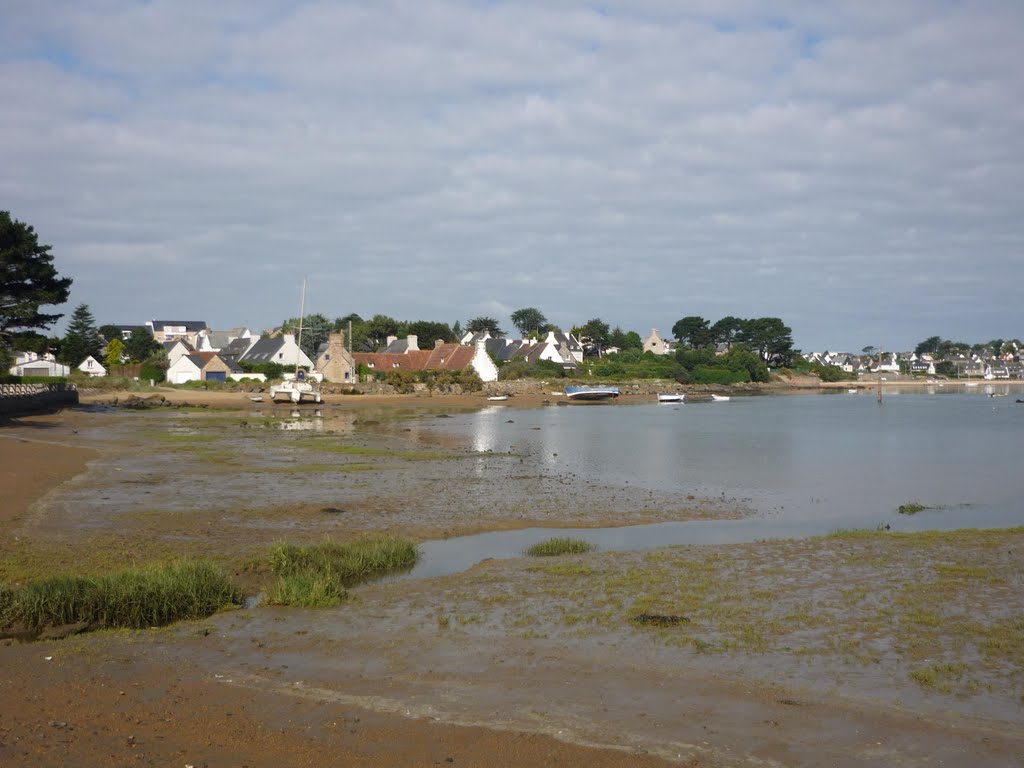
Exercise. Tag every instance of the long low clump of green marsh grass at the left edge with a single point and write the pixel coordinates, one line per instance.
(149, 598)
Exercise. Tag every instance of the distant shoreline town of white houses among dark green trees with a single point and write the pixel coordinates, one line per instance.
(351, 350)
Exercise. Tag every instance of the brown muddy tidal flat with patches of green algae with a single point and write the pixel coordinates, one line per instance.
(857, 650)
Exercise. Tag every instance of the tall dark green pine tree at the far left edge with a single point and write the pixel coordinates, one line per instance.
(28, 280)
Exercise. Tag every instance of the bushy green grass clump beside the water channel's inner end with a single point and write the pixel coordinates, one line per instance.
(317, 576)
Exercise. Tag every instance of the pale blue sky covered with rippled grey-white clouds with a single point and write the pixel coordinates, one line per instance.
(855, 168)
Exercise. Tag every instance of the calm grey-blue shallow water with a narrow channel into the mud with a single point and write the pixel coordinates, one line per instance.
(805, 465)
